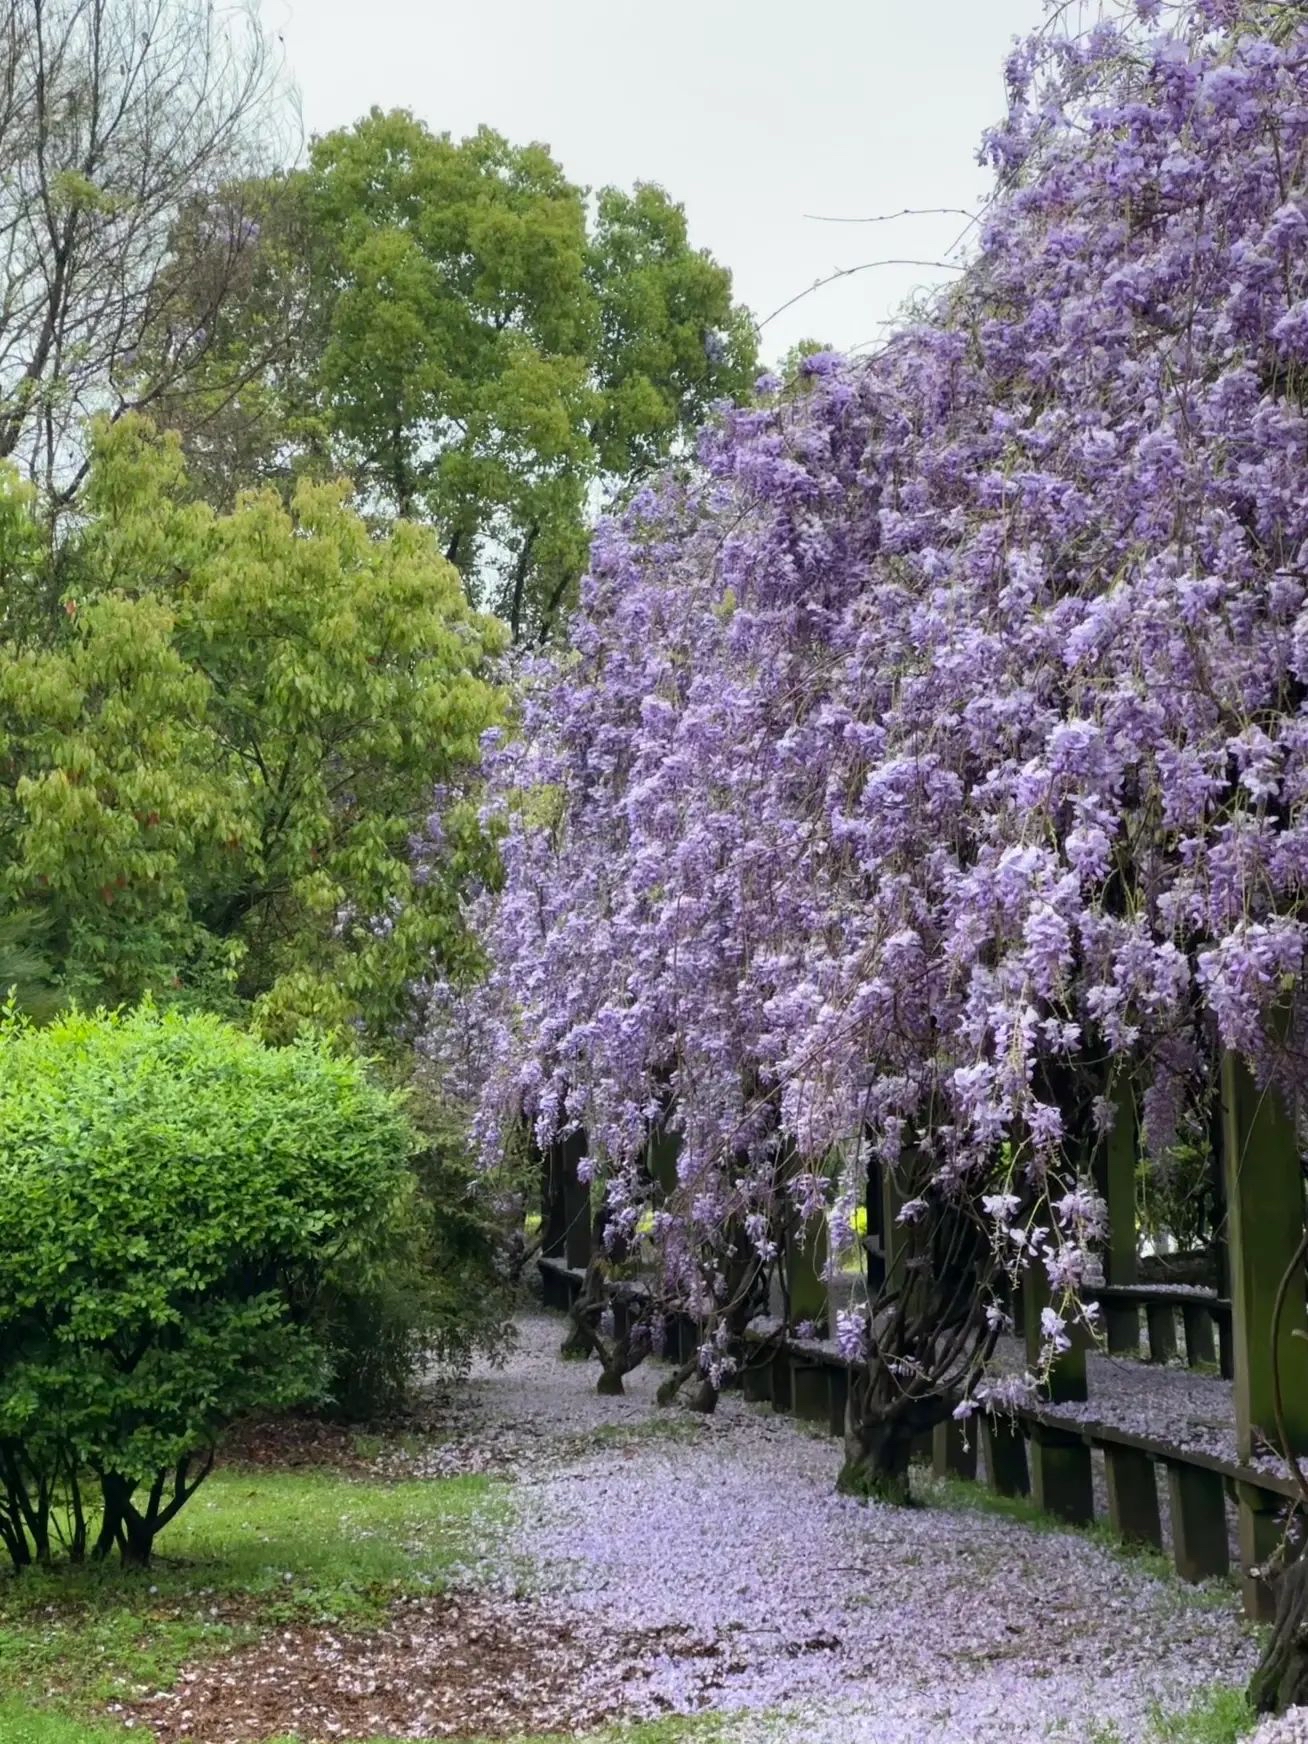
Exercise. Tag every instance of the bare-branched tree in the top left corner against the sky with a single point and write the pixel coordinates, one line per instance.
(137, 139)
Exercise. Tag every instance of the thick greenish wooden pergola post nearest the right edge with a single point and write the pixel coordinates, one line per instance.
(1264, 1229)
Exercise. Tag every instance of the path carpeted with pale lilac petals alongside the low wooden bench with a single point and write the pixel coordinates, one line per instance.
(711, 1565)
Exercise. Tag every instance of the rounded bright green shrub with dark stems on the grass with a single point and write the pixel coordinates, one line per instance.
(175, 1196)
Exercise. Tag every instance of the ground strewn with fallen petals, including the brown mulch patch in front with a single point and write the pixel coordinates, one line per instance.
(672, 1563)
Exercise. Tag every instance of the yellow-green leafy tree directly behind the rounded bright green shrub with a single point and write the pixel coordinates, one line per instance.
(215, 753)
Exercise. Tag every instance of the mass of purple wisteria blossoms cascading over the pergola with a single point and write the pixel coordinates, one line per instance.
(936, 753)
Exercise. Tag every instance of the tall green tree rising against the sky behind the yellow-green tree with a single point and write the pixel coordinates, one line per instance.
(480, 346)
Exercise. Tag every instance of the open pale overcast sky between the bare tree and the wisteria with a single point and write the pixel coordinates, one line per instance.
(749, 112)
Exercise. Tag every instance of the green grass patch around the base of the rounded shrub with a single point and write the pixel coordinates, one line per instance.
(250, 1553)
